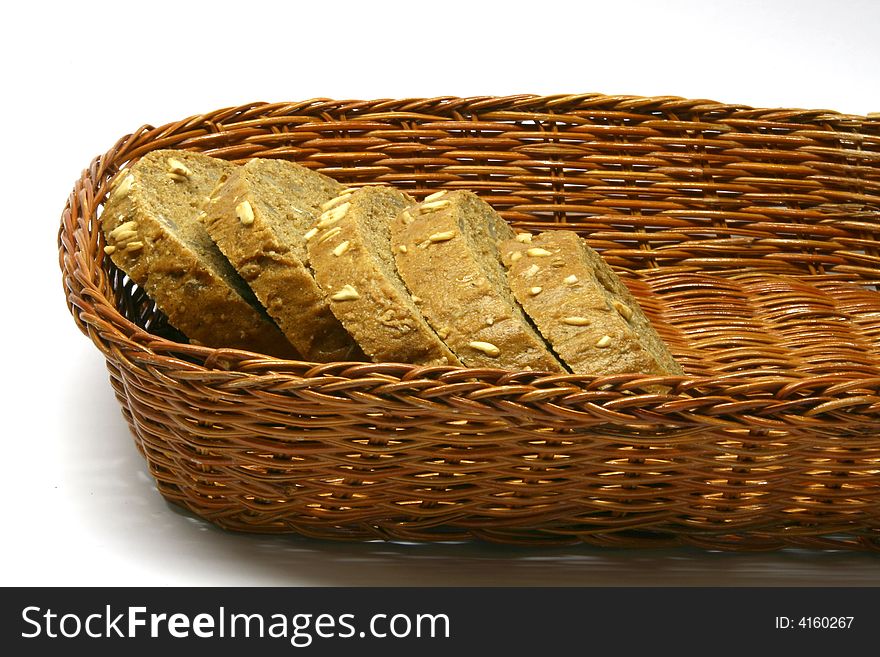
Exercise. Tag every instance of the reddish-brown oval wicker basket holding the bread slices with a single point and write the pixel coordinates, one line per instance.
(751, 237)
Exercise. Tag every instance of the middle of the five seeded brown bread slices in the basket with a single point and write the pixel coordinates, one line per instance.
(350, 253)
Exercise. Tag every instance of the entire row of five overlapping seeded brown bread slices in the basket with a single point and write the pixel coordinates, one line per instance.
(350, 274)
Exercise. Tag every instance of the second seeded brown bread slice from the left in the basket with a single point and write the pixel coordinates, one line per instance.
(258, 216)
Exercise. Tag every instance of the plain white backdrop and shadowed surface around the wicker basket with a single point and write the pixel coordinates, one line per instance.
(78, 506)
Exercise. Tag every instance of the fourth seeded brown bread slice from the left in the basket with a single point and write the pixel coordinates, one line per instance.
(446, 253)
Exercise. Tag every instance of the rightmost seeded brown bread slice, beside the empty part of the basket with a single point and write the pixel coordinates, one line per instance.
(581, 307)
